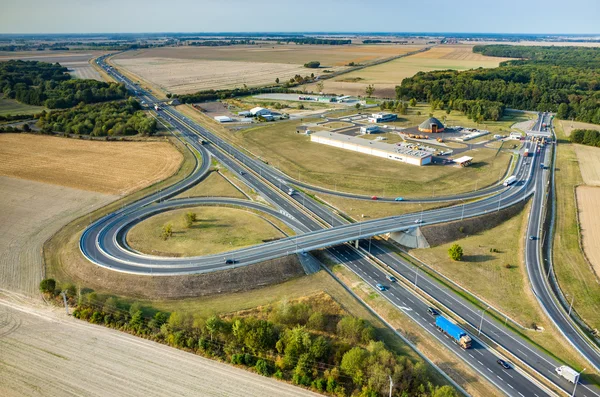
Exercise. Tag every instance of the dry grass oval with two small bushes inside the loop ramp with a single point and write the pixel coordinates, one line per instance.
(217, 229)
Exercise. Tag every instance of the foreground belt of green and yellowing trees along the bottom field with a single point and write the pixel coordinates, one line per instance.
(293, 341)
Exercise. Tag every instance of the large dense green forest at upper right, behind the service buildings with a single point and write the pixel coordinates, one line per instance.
(558, 79)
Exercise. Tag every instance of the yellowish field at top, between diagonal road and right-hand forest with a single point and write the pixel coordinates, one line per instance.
(385, 77)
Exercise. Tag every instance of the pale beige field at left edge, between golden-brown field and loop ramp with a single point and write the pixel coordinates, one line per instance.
(35, 211)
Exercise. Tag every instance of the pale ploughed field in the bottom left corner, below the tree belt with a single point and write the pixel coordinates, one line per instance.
(52, 355)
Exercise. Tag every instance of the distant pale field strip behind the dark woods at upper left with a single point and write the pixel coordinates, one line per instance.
(76, 61)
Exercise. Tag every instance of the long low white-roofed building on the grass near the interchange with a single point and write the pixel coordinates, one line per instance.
(374, 148)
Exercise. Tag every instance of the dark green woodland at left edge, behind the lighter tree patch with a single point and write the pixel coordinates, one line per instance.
(50, 85)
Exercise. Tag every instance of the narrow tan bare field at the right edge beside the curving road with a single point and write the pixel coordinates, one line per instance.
(588, 199)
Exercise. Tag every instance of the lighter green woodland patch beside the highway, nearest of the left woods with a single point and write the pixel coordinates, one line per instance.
(102, 119)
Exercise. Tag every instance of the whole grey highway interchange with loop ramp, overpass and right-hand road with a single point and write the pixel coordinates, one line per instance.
(319, 227)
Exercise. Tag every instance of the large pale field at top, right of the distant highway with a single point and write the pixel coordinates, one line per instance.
(189, 69)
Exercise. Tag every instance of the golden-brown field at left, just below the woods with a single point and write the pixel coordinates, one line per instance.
(115, 168)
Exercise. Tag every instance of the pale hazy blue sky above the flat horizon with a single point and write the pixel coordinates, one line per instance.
(468, 16)
